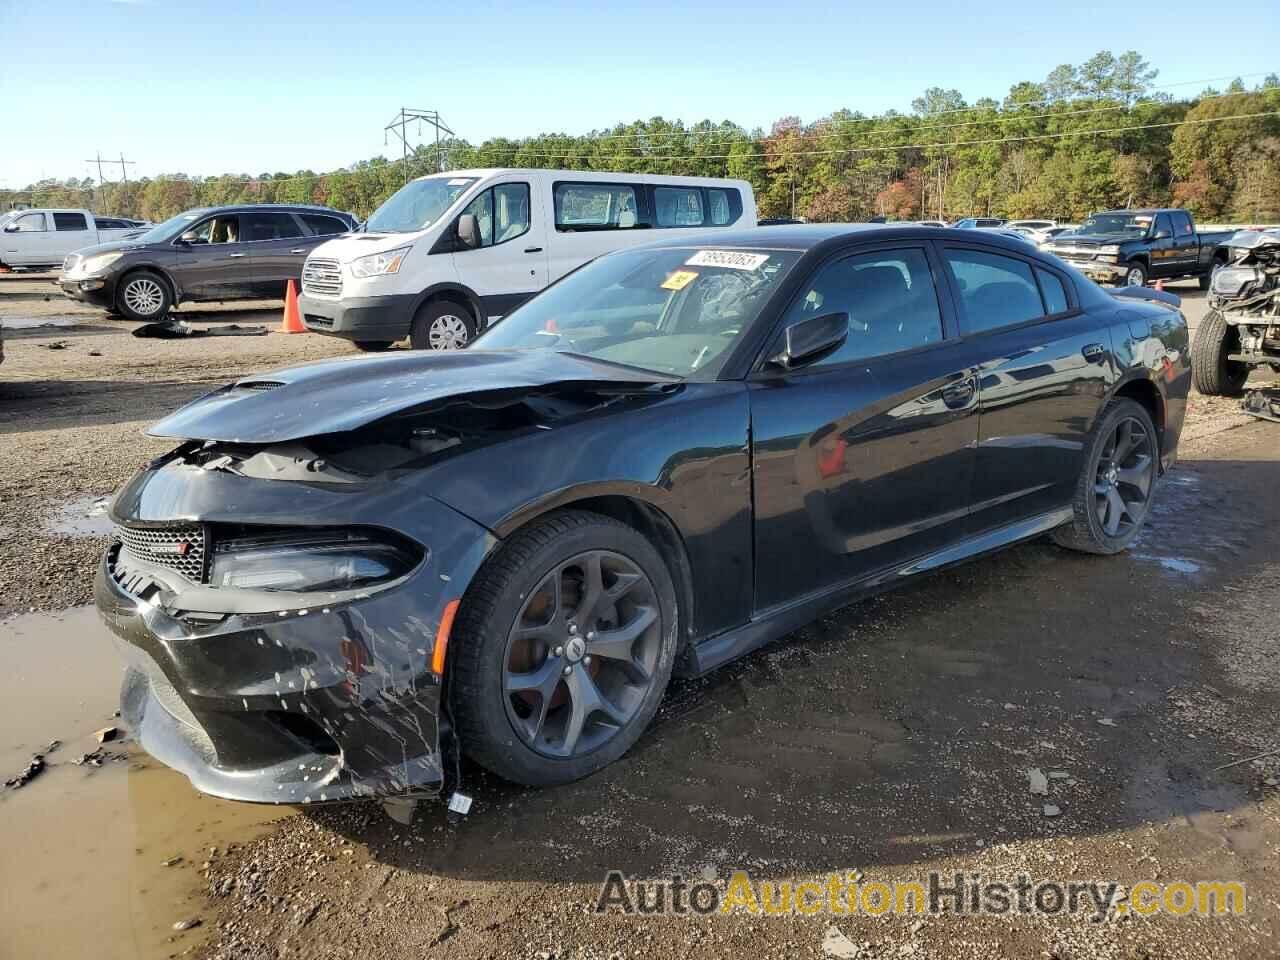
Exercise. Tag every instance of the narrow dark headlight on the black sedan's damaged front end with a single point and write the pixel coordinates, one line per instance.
(301, 561)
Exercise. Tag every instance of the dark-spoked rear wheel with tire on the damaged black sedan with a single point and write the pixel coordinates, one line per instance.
(1113, 493)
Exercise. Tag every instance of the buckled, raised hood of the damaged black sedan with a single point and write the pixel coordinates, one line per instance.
(333, 396)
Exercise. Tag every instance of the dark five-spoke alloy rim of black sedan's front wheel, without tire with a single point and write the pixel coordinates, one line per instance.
(582, 655)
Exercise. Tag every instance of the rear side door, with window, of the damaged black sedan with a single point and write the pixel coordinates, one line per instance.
(1044, 368)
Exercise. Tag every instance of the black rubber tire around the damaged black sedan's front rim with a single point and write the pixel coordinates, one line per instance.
(482, 647)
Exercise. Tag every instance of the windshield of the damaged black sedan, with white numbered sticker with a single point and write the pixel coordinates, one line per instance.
(676, 312)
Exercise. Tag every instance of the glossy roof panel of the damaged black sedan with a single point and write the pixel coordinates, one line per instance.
(806, 237)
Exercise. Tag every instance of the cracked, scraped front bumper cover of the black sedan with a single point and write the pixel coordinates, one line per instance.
(312, 705)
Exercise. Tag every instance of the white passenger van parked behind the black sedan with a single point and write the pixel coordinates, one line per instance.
(450, 254)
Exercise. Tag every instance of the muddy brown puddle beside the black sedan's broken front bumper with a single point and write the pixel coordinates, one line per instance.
(81, 874)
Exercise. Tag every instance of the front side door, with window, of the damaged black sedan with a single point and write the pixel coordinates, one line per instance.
(865, 459)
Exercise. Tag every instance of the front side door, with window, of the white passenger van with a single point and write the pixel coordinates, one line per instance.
(510, 266)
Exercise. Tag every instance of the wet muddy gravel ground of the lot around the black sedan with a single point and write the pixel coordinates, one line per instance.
(893, 738)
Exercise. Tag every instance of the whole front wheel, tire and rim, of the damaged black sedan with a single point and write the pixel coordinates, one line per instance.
(563, 650)
